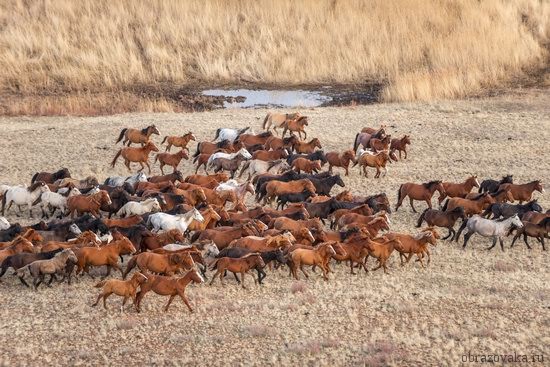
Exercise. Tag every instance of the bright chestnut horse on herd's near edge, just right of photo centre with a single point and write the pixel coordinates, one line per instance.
(319, 256)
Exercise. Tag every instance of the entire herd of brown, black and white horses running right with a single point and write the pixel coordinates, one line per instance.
(173, 224)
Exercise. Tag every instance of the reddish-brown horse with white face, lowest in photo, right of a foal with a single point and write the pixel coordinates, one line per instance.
(167, 286)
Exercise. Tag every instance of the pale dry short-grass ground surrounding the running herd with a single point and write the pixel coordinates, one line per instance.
(471, 301)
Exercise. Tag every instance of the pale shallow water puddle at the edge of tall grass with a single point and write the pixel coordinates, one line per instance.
(249, 98)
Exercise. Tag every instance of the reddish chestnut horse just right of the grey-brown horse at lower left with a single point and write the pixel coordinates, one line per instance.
(106, 255)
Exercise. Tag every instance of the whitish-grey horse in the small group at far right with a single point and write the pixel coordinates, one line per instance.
(490, 228)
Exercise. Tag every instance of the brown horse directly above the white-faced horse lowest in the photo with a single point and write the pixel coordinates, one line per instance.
(167, 264)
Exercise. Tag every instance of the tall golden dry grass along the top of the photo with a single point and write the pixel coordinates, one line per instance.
(419, 49)
